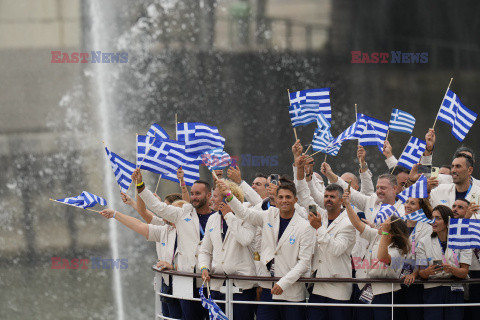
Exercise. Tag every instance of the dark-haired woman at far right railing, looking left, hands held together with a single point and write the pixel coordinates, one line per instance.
(442, 262)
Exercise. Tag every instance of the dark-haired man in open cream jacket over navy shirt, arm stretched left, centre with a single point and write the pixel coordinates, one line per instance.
(286, 251)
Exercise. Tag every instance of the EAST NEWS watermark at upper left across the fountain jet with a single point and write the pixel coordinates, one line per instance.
(89, 57)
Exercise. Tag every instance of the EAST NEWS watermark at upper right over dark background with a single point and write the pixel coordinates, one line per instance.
(397, 57)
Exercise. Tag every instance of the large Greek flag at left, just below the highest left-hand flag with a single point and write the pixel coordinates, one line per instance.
(165, 157)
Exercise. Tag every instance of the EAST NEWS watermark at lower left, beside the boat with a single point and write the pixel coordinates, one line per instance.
(93, 263)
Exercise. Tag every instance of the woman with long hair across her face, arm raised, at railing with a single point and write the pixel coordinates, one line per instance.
(386, 248)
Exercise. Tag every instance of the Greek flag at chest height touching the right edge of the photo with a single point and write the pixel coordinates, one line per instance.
(464, 233)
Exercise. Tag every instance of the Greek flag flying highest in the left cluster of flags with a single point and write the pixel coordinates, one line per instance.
(199, 137)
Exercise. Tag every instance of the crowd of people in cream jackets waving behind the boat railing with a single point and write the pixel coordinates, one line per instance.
(305, 226)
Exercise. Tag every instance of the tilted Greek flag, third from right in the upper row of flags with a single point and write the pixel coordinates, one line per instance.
(374, 132)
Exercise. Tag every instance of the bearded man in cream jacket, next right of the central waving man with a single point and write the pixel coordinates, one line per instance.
(335, 238)
